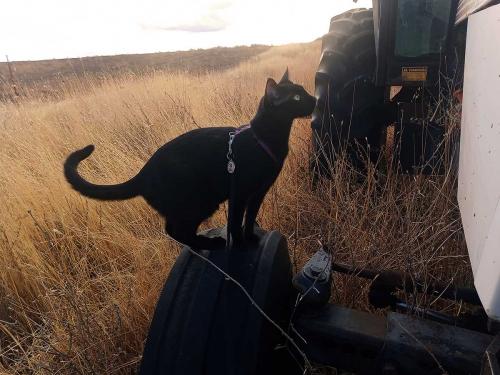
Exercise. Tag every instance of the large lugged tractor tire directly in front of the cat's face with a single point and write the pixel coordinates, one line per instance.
(350, 115)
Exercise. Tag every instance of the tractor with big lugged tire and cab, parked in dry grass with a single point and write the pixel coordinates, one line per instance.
(389, 66)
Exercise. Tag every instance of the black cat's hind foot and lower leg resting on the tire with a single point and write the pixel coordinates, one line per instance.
(185, 233)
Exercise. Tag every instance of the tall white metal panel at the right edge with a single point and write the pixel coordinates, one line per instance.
(479, 172)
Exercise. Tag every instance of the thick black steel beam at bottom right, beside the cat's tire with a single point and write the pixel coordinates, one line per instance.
(364, 343)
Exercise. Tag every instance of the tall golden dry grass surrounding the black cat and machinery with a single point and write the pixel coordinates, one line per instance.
(79, 278)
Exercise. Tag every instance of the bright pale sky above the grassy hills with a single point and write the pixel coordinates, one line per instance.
(44, 29)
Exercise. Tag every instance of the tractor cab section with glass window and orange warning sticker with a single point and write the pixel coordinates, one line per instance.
(411, 38)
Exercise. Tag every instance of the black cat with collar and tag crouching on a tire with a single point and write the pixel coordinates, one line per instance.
(187, 178)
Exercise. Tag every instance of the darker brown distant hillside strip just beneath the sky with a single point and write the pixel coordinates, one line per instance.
(50, 77)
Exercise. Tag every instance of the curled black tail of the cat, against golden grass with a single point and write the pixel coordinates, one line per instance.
(126, 190)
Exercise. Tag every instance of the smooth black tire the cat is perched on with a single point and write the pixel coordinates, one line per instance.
(204, 325)
